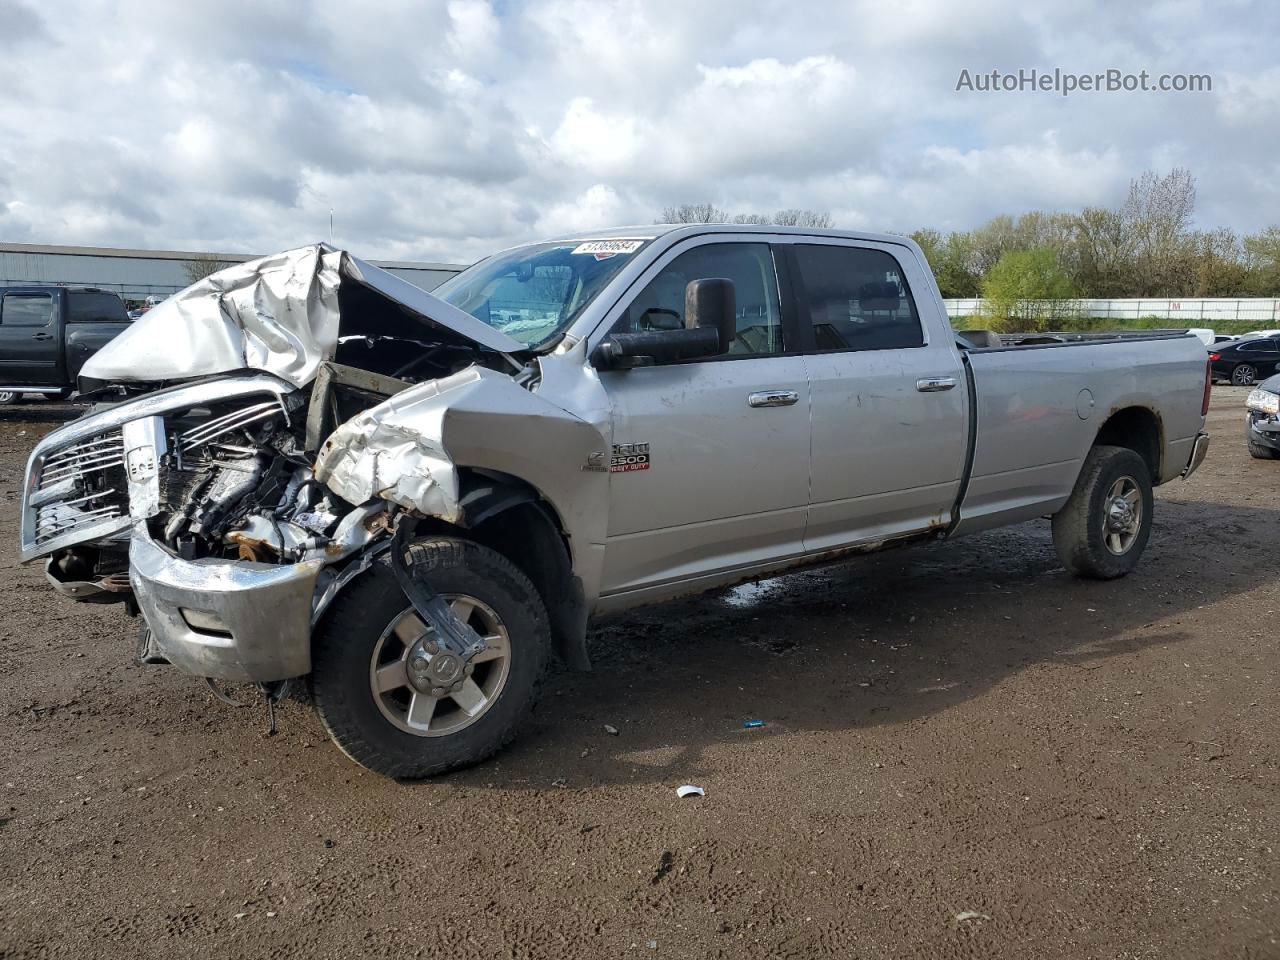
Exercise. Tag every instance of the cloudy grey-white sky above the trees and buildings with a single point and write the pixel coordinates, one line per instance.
(444, 130)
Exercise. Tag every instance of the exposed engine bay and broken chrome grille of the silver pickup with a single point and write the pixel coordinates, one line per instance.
(232, 479)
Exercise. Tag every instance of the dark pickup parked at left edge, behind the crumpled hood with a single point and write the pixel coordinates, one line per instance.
(47, 335)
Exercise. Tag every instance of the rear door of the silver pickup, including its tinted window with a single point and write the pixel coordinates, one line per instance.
(890, 404)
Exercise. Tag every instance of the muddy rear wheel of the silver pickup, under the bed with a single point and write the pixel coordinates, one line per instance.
(1104, 528)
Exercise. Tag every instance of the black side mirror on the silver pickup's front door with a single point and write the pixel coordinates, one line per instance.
(711, 326)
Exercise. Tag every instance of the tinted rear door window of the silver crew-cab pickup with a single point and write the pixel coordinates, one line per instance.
(857, 298)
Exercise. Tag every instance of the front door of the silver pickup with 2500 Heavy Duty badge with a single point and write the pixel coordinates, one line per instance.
(711, 461)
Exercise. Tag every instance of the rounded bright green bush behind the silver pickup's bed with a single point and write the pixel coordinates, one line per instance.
(1026, 291)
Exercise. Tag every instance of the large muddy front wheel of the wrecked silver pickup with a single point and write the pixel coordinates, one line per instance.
(360, 683)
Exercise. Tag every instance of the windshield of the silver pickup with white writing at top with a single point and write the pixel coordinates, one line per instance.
(534, 294)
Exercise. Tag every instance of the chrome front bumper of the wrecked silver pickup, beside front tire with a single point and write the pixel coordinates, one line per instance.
(253, 621)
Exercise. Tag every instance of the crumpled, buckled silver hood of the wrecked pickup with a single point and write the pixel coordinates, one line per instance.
(277, 314)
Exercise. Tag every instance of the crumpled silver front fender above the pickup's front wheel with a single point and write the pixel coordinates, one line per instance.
(409, 447)
